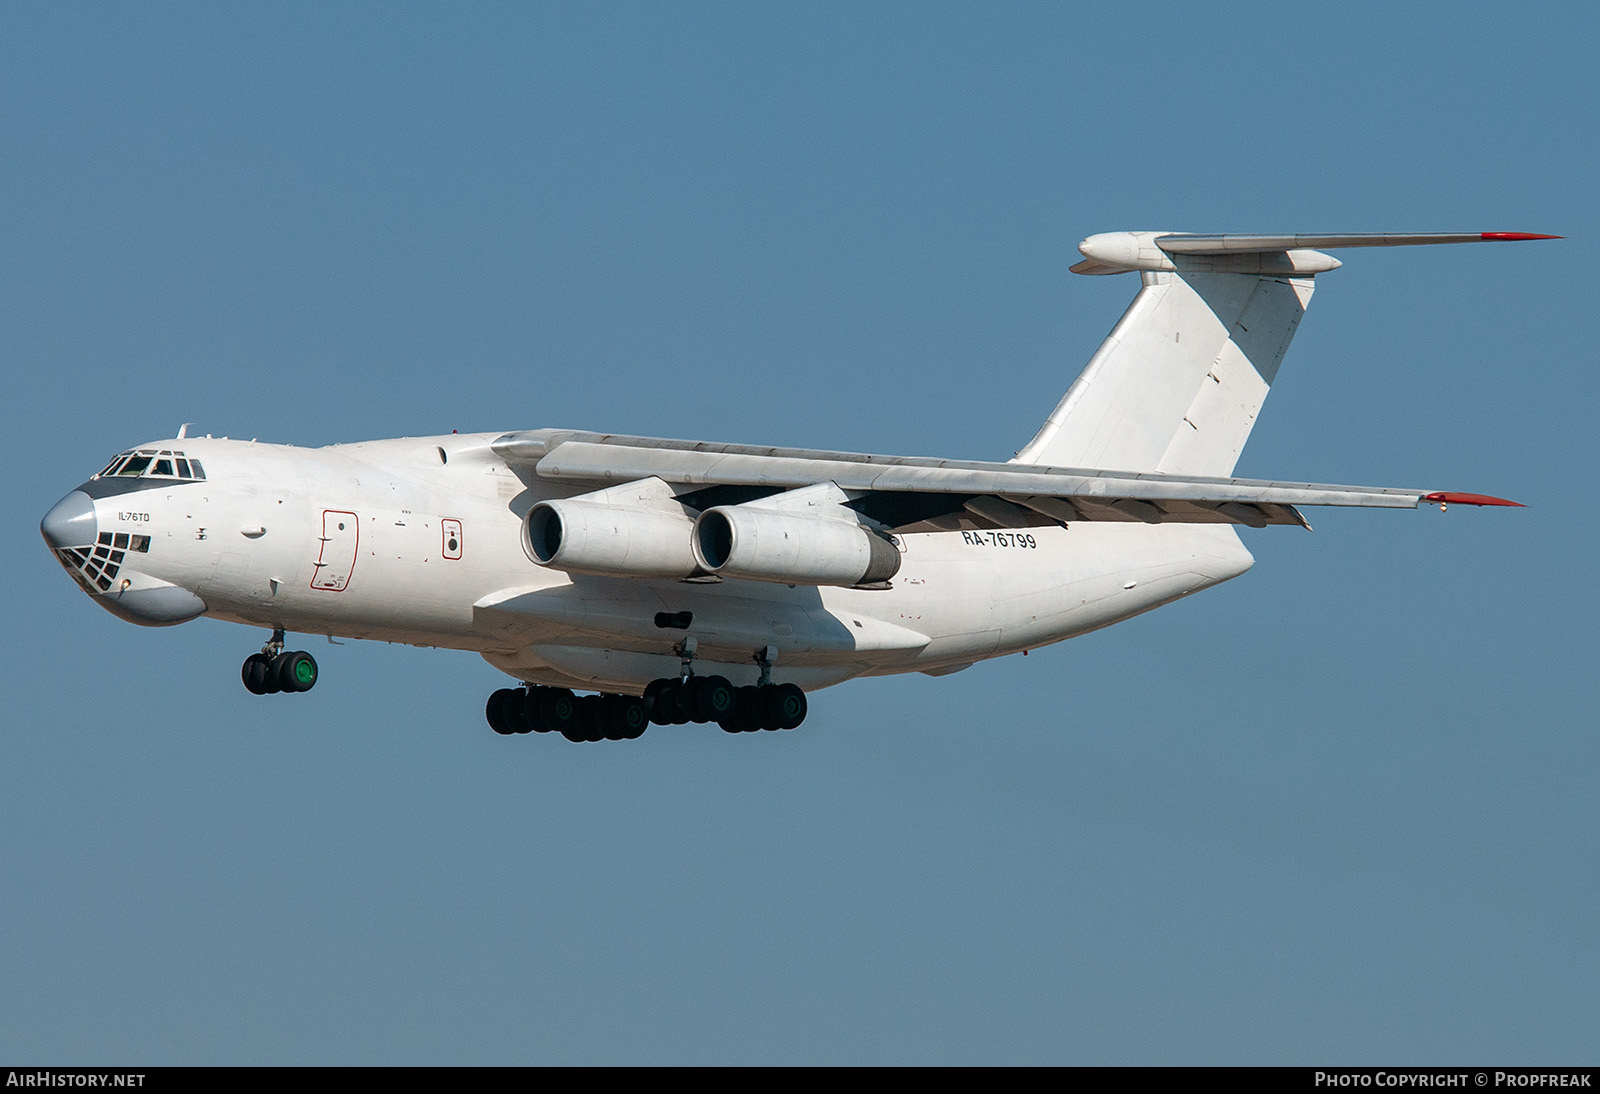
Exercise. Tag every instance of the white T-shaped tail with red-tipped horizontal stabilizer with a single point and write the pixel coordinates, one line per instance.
(1178, 383)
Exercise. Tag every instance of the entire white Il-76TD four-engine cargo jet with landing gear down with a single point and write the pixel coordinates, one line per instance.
(682, 581)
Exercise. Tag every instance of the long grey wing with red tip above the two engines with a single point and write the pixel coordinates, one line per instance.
(908, 493)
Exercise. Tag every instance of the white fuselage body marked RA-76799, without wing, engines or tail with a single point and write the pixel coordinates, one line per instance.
(420, 541)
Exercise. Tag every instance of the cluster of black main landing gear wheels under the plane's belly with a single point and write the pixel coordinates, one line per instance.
(668, 703)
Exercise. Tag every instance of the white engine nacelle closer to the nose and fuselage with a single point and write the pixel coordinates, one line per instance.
(610, 541)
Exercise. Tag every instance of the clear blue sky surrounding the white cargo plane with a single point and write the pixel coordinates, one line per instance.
(1342, 810)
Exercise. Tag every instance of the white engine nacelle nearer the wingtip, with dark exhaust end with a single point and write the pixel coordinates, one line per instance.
(793, 548)
